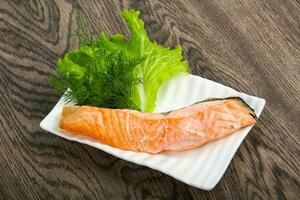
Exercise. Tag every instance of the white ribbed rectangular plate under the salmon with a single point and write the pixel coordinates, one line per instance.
(201, 167)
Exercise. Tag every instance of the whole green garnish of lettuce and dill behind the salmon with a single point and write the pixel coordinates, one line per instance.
(115, 73)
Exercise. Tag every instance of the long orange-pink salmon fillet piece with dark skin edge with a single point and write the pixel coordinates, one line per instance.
(181, 129)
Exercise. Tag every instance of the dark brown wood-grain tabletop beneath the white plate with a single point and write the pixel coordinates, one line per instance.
(250, 45)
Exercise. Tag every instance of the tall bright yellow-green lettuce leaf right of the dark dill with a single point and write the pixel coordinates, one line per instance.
(160, 63)
